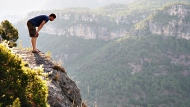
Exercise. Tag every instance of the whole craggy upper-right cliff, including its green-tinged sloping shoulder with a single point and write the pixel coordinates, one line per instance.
(172, 21)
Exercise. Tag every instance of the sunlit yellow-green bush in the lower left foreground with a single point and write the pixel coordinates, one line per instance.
(19, 84)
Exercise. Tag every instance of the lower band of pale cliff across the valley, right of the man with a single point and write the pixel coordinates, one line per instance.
(86, 31)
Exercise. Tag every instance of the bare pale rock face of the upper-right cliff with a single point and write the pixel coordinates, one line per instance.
(178, 24)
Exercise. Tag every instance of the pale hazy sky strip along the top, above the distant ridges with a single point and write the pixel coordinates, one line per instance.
(22, 7)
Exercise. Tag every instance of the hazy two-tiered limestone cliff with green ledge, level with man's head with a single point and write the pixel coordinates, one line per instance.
(88, 26)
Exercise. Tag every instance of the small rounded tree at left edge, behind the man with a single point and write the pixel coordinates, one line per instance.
(9, 33)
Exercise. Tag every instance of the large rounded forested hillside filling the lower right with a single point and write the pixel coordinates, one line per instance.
(136, 71)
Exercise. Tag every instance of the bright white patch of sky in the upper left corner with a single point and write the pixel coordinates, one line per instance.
(19, 7)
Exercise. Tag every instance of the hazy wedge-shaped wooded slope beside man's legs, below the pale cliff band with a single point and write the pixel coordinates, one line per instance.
(72, 48)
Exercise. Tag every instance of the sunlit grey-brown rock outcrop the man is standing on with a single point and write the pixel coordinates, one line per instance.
(63, 92)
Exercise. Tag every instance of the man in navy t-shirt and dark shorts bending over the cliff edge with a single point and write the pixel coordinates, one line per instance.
(39, 22)
